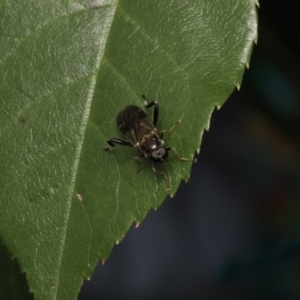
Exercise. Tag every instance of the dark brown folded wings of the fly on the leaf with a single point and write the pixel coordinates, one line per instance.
(134, 124)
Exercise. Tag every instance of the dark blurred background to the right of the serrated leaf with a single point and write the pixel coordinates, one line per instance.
(232, 232)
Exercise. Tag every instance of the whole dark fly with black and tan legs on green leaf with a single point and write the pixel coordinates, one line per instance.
(141, 133)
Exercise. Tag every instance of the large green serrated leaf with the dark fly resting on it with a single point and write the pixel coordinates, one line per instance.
(66, 69)
